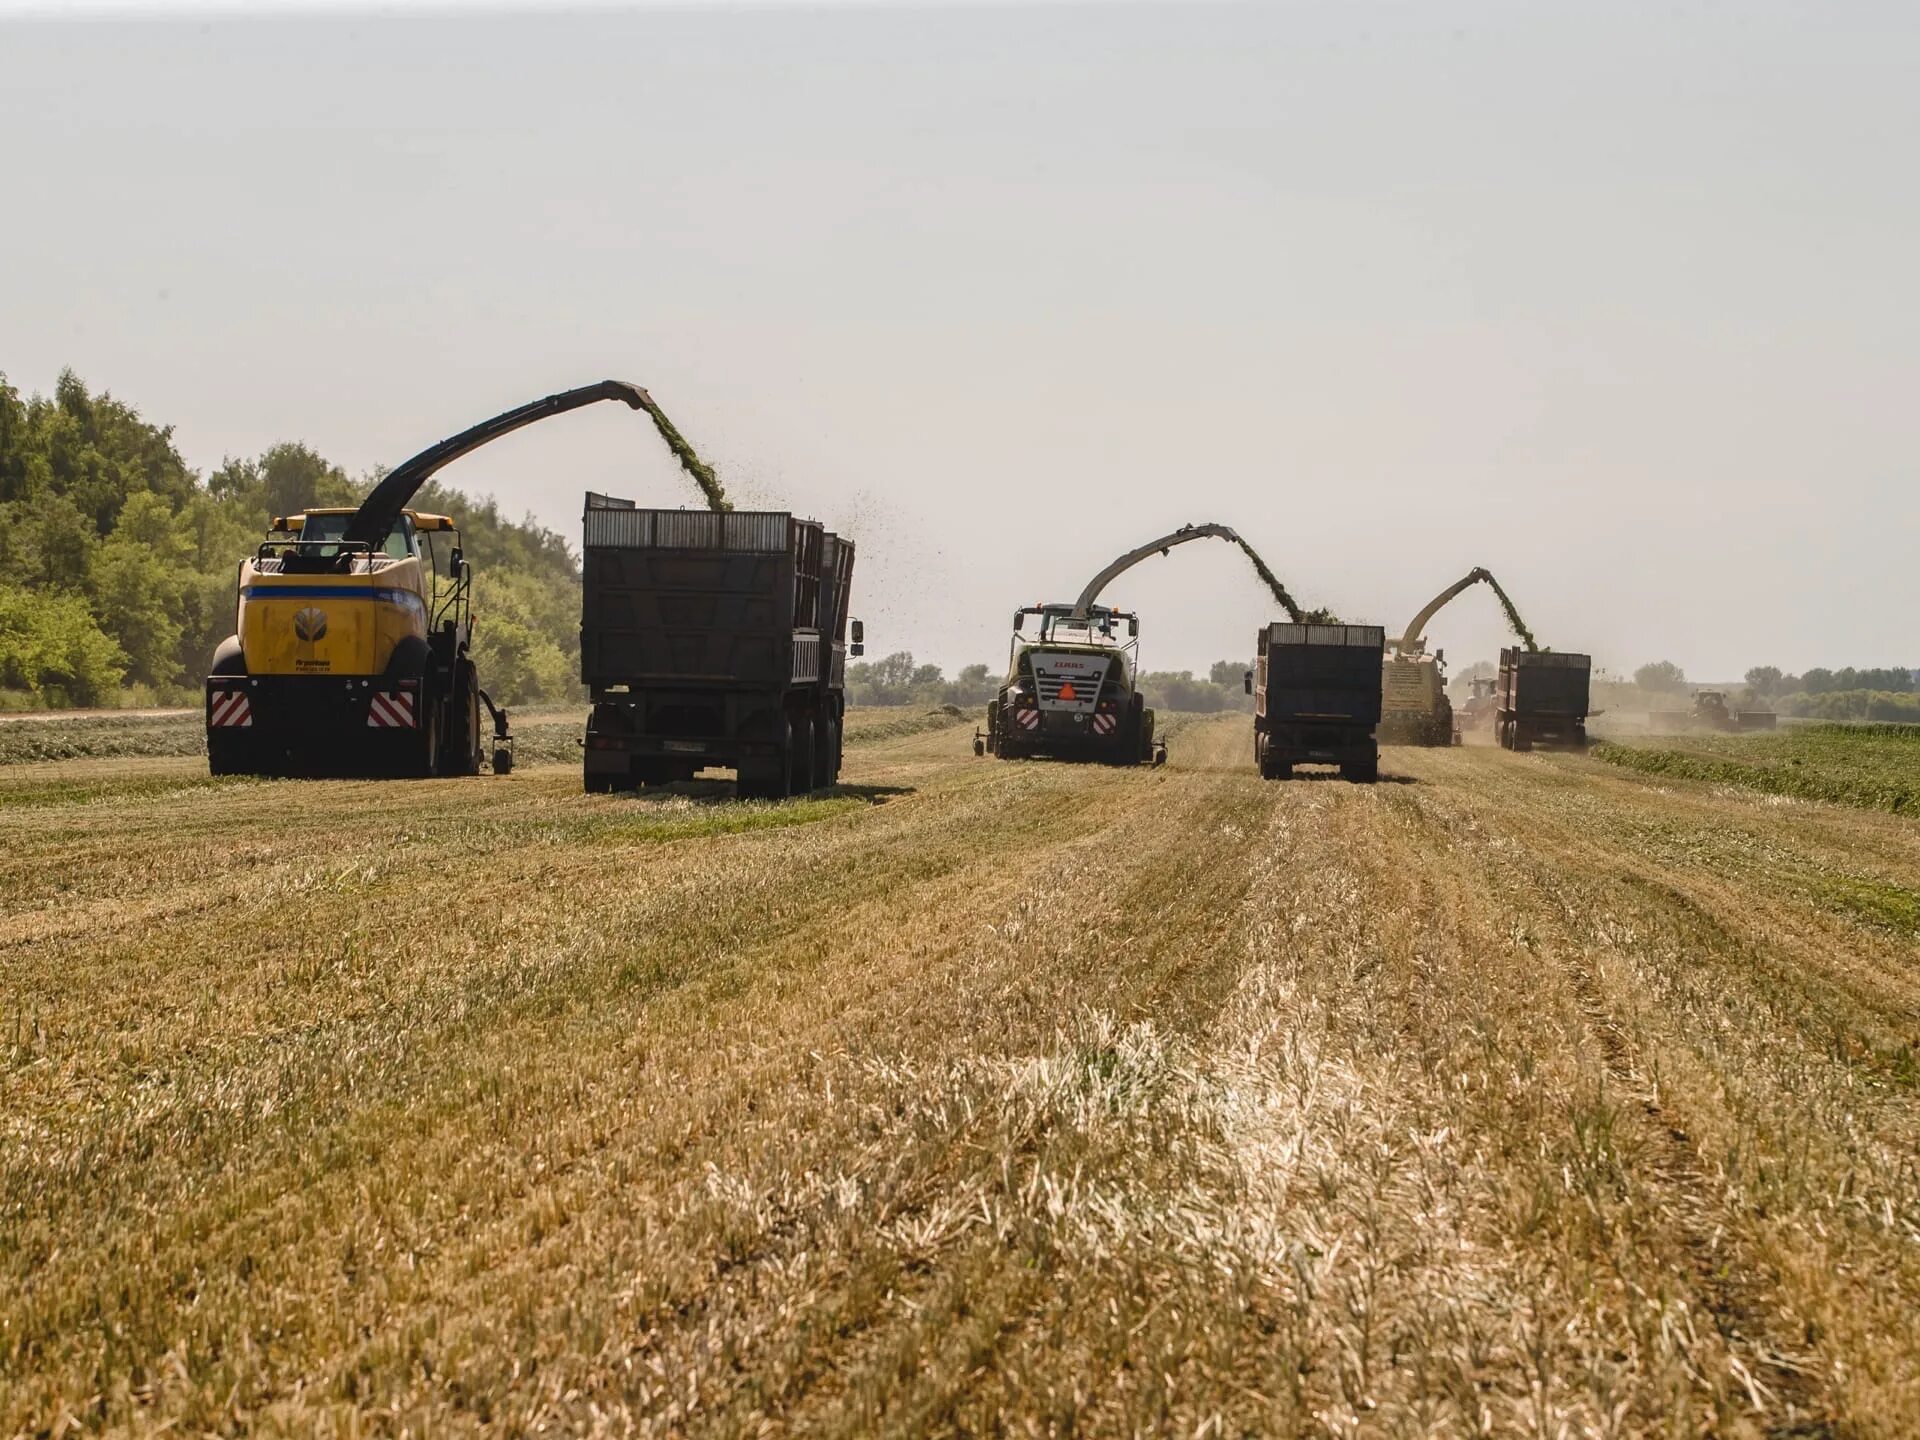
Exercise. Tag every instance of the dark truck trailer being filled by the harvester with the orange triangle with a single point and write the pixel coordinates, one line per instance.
(1318, 698)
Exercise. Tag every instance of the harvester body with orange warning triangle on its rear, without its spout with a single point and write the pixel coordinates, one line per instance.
(1070, 690)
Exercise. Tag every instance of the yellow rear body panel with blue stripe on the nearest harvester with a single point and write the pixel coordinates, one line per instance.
(329, 625)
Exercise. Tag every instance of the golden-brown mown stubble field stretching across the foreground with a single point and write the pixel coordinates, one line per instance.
(1514, 1095)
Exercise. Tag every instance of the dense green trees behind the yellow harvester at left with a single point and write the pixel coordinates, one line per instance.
(118, 562)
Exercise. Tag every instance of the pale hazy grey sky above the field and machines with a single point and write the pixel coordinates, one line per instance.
(1618, 300)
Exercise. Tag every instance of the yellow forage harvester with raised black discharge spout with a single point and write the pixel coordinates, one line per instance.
(352, 646)
